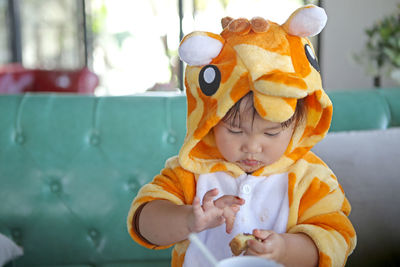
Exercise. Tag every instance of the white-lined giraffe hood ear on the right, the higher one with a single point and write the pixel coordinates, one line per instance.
(306, 21)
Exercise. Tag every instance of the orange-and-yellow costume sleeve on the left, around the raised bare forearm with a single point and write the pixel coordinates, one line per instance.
(174, 184)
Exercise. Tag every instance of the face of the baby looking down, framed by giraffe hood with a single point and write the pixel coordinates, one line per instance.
(253, 144)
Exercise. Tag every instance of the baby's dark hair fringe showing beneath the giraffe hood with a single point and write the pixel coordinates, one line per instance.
(234, 112)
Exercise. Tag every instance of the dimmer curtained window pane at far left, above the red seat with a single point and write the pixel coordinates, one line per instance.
(52, 34)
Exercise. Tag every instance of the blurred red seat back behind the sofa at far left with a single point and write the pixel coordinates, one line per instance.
(15, 79)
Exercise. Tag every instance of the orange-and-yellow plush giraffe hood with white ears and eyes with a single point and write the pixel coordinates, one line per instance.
(276, 62)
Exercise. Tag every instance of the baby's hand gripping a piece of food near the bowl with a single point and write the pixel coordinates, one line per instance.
(270, 245)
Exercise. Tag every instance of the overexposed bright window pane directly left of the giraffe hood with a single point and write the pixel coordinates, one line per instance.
(135, 45)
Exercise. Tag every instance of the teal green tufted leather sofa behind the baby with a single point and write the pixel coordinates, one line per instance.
(70, 166)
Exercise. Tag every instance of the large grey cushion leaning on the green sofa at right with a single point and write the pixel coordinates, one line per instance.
(367, 166)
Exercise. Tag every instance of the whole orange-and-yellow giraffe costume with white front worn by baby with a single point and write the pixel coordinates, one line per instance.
(296, 194)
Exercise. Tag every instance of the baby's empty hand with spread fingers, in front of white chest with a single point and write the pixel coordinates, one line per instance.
(214, 213)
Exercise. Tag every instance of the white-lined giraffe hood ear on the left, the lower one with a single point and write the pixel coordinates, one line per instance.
(199, 48)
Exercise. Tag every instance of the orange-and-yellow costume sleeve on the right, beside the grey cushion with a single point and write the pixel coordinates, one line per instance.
(322, 211)
